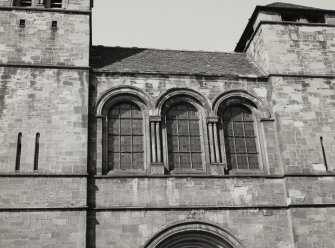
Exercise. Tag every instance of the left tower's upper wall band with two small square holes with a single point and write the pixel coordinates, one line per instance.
(38, 43)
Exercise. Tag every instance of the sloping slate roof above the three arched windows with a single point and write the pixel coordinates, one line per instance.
(139, 60)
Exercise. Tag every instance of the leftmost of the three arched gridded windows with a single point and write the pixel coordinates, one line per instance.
(125, 137)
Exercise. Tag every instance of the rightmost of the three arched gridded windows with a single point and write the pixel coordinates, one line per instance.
(240, 138)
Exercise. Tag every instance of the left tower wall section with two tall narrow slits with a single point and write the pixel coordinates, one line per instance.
(52, 103)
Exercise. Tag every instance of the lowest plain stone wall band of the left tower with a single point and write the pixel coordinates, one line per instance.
(31, 229)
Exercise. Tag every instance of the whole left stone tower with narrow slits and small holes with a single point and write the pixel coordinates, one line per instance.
(44, 71)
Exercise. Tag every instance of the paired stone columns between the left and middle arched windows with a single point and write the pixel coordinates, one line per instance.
(156, 166)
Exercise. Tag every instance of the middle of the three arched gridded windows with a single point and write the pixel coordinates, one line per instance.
(183, 137)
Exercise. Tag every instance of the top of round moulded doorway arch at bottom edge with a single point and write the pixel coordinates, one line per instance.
(194, 234)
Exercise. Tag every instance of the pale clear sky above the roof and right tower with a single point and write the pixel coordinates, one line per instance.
(197, 25)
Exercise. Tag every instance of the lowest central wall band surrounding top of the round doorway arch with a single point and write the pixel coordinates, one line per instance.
(254, 228)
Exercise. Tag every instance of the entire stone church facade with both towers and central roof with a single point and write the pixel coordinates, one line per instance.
(142, 148)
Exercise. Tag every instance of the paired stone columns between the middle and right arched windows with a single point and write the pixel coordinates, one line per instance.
(216, 165)
